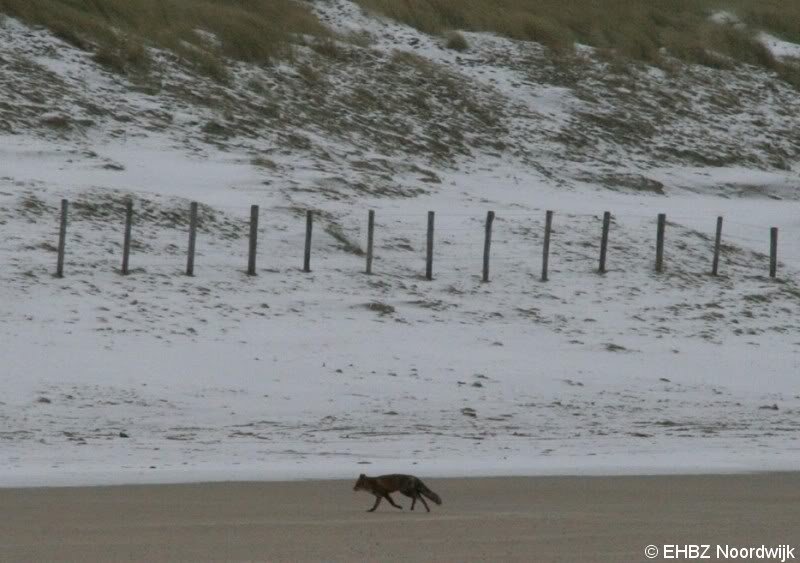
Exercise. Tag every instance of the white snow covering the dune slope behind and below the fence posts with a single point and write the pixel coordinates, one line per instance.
(156, 377)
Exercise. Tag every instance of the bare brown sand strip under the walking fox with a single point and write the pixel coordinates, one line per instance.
(493, 519)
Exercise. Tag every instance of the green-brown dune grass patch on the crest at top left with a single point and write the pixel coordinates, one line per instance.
(200, 32)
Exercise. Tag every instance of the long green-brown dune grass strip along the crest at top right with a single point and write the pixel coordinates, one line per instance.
(641, 30)
